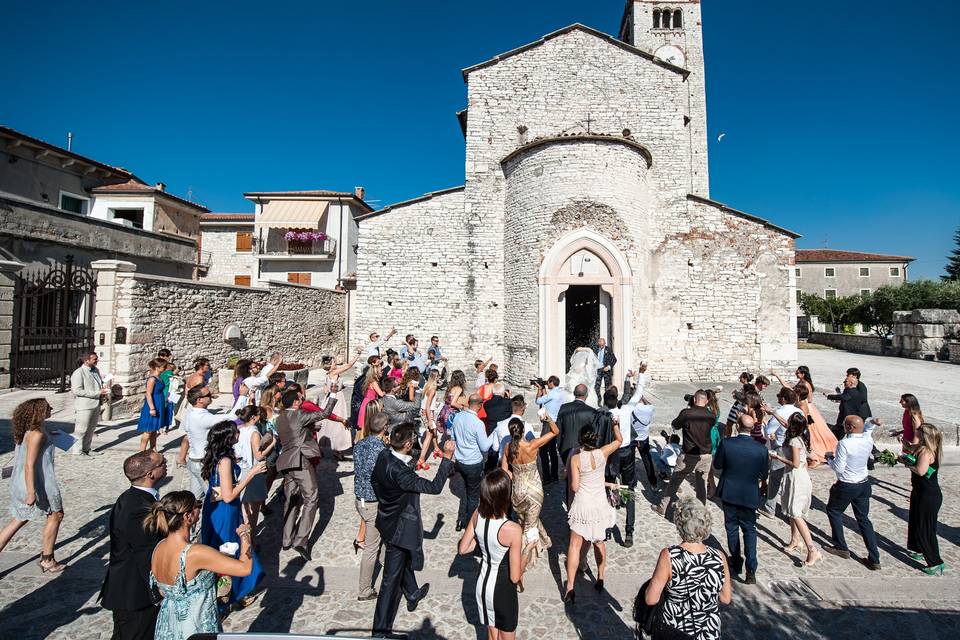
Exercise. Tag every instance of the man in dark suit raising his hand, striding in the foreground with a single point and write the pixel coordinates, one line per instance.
(398, 490)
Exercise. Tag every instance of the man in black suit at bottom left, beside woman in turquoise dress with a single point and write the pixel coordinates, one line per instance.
(126, 587)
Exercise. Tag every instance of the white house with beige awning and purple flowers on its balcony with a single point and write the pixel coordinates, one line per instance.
(306, 237)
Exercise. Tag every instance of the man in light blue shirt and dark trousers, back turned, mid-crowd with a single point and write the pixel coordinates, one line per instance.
(472, 442)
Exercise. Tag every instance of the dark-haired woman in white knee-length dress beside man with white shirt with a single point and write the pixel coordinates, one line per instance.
(797, 488)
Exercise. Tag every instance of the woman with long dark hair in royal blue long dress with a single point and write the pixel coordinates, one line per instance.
(222, 512)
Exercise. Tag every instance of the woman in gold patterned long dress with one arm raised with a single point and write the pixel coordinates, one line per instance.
(521, 461)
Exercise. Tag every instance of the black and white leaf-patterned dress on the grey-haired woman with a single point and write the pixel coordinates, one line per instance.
(691, 603)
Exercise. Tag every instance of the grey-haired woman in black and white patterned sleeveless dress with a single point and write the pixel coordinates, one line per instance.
(692, 579)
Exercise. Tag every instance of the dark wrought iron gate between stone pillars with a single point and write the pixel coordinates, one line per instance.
(52, 324)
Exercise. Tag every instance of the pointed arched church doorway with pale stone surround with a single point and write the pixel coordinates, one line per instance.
(585, 294)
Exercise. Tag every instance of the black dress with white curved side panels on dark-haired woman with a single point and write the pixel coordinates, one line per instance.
(496, 594)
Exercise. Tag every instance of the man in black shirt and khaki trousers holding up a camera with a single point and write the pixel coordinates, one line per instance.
(695, 422)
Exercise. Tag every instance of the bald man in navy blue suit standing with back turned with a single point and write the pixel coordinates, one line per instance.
(744, 463)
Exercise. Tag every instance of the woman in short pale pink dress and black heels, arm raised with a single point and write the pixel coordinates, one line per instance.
(590, 513)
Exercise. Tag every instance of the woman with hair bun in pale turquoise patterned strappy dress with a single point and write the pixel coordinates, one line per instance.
(185, 573)
